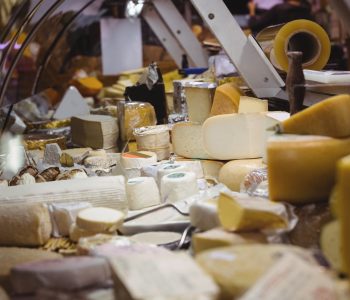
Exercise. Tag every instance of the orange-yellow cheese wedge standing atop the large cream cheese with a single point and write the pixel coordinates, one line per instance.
(226, 99)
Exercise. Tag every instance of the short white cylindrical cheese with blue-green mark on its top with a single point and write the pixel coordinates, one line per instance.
(177, 186)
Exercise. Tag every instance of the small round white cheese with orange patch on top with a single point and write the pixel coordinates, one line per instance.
(137, 160)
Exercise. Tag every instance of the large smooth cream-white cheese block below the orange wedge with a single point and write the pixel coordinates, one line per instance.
(236, 136)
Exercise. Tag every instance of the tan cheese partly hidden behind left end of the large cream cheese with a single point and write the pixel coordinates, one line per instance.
(187, 140)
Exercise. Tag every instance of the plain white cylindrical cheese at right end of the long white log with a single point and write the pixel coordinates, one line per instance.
(142, 192)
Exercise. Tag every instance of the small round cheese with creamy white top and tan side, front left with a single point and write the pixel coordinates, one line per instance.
(100, 219)
